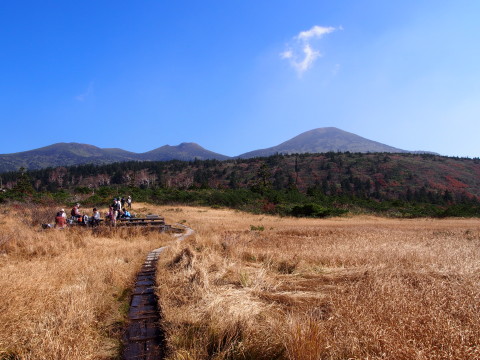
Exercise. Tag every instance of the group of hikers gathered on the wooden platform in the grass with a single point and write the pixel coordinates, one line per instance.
(116, 211)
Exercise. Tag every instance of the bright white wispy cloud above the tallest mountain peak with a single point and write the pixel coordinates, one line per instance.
(300, 52)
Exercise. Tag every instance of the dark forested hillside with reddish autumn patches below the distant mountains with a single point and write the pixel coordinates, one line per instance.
(340, 180)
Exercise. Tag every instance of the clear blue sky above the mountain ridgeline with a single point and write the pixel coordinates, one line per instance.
(235, 76)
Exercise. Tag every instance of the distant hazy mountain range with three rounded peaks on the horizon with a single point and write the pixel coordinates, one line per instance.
(319, 140)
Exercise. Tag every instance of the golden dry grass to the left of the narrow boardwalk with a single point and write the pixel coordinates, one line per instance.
(64, 293)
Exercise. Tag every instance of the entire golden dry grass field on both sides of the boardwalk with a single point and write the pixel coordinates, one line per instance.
(246, 287)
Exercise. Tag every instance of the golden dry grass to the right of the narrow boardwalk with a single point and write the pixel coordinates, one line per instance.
(348, 288)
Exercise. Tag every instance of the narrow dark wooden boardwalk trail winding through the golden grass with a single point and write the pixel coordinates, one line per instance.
(144, 339)
